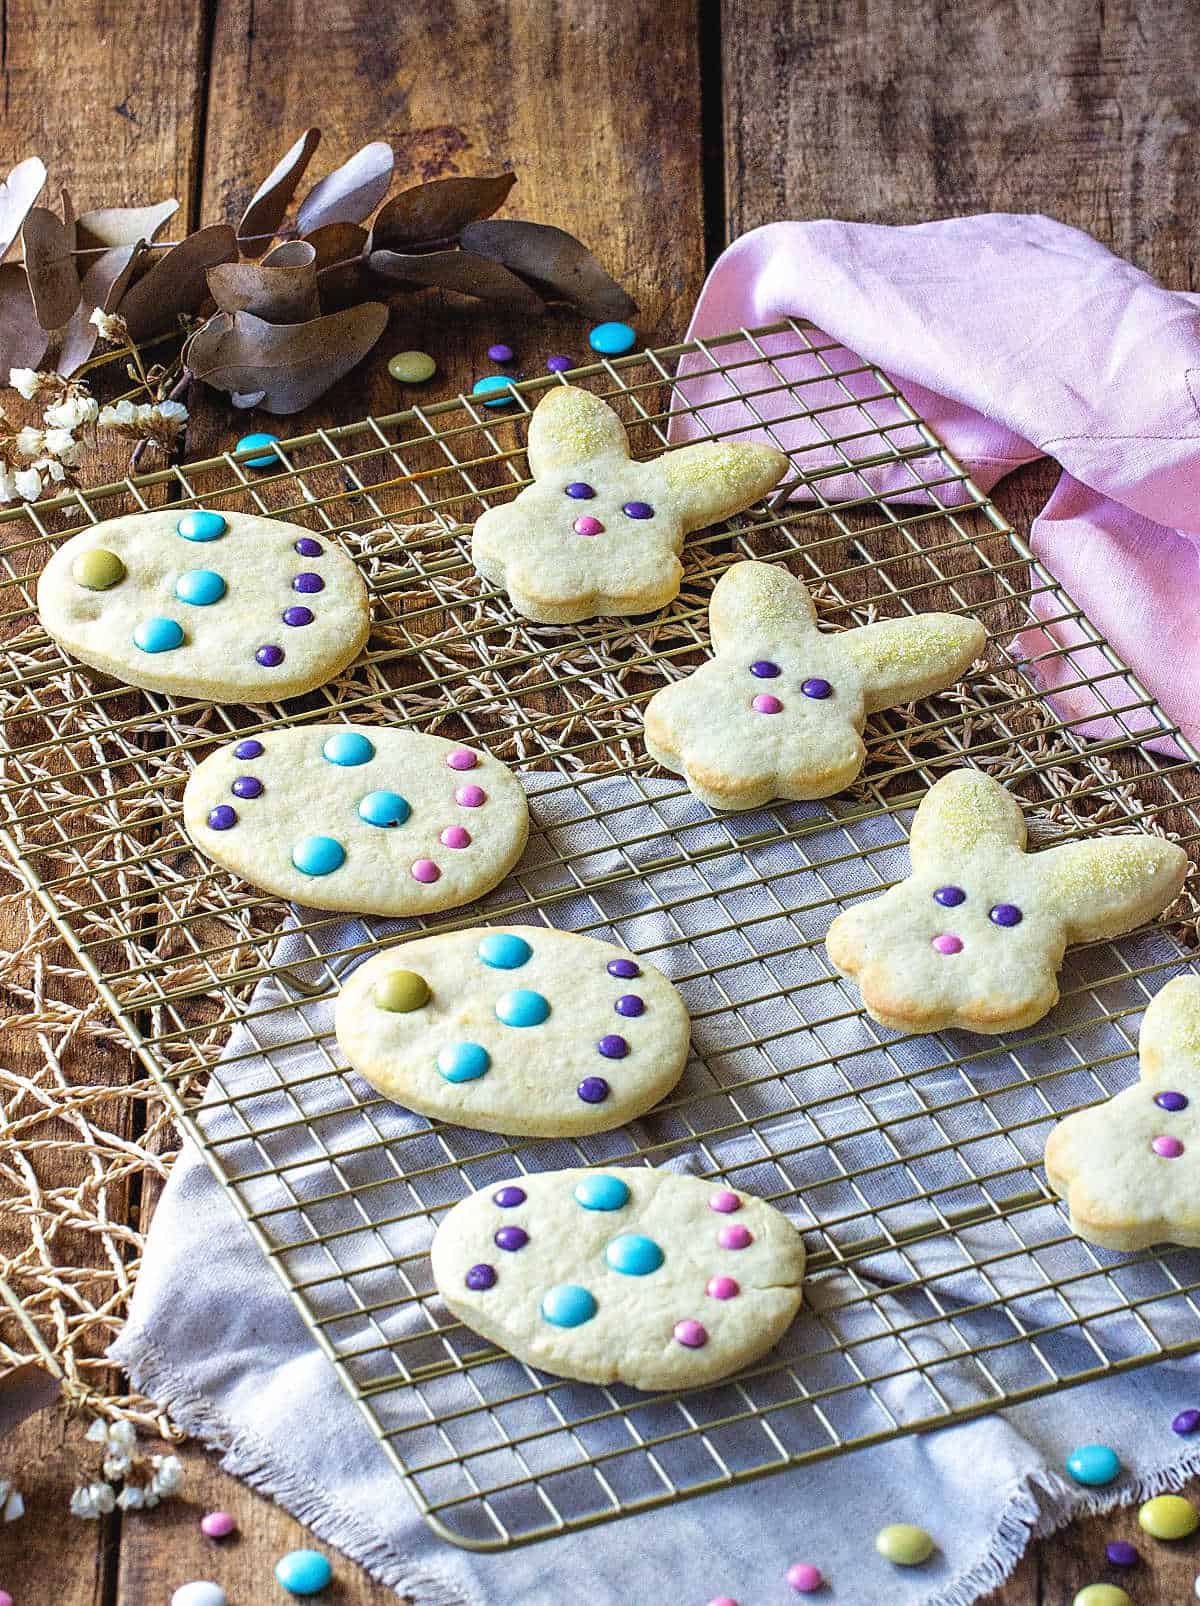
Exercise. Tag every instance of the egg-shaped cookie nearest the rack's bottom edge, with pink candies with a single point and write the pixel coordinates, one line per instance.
(622, 1276)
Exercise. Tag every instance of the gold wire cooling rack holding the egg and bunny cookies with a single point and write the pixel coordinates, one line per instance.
(944, 1281)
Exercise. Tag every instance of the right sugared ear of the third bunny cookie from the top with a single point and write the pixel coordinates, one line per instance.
(1112, 884)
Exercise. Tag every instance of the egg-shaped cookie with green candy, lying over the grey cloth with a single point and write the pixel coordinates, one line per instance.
(515, 1030)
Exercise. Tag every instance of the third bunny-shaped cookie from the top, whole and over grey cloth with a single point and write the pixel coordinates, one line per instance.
(978, 932)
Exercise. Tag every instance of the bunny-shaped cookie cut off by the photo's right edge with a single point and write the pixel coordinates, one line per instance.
(1130, 1168)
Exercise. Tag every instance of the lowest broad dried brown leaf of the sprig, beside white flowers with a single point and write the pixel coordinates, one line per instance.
(288, 365)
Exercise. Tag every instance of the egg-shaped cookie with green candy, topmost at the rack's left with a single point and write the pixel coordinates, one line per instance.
(224, 606)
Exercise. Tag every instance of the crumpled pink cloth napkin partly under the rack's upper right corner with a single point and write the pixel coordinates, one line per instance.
(1014, 338)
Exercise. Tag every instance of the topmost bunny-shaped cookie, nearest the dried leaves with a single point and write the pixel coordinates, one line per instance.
(598, 534)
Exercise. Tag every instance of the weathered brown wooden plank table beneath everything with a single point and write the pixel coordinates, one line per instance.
(656, 131)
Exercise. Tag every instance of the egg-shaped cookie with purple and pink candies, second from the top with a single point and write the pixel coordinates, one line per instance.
(359, 818)
